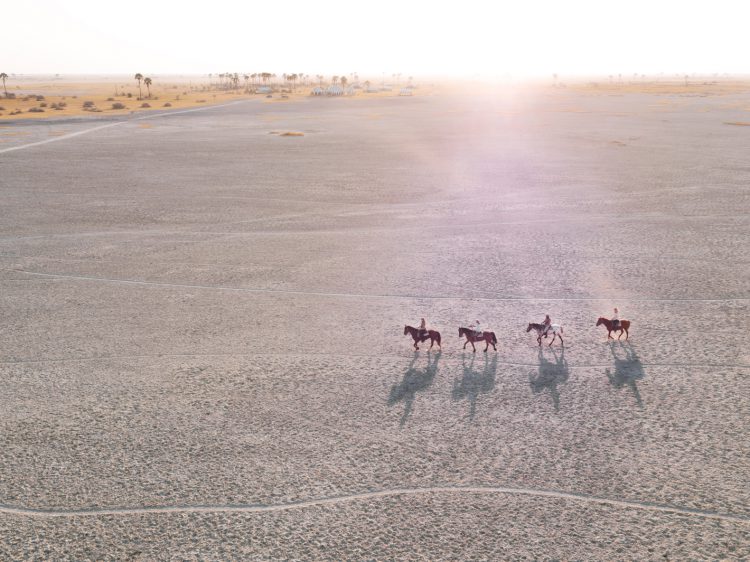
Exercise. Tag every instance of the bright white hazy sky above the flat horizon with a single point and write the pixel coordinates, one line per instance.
(468, 37)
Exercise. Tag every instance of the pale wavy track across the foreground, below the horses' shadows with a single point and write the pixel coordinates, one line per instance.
(261, 508)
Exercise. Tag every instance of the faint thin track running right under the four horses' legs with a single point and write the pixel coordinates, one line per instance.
(449, 356)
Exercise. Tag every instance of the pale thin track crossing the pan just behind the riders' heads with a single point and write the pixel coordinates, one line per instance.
(350, 295)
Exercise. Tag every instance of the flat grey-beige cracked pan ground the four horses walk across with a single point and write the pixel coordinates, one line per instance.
(202, 347)
